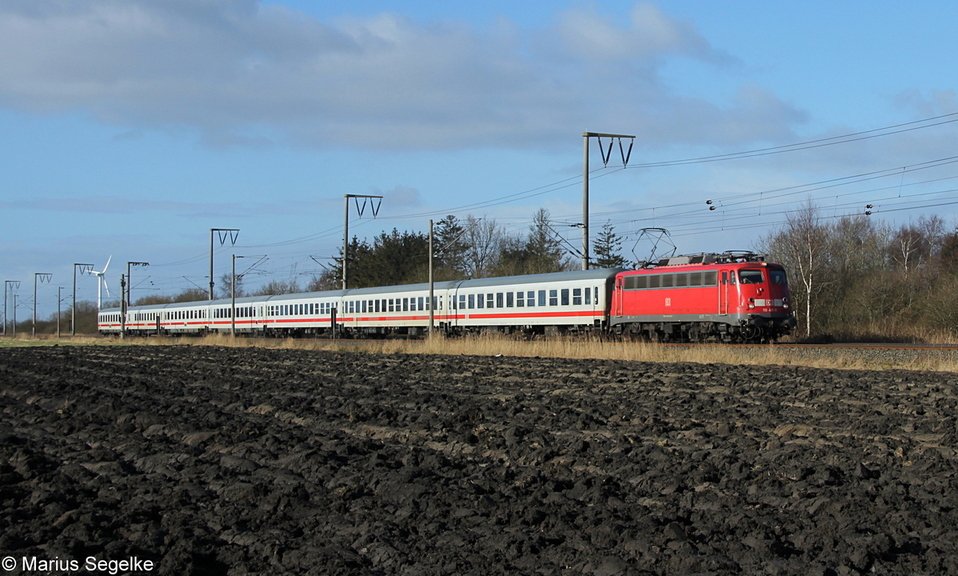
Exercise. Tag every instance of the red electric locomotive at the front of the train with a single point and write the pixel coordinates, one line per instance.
(732, 297)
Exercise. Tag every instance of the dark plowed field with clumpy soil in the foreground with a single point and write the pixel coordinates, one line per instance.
(206, 460)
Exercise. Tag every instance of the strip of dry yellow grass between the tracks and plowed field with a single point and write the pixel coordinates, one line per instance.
(493, 345)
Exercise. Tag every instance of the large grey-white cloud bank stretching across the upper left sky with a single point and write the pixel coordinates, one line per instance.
(243, 73)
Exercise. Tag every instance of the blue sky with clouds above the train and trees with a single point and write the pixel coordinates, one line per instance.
(131, 128)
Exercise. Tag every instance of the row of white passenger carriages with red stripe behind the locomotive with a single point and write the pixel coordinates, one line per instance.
(541, 303)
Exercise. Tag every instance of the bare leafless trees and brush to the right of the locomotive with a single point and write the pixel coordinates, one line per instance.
(857, 278)
